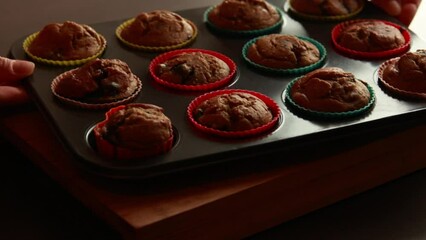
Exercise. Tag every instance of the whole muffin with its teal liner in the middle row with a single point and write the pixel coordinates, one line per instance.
(282, 52)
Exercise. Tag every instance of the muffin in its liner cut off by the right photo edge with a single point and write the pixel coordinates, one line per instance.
(405, 75)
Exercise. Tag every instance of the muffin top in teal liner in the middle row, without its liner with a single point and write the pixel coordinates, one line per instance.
(283, 51)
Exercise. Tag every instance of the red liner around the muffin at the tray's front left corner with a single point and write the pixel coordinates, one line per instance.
(113, 152)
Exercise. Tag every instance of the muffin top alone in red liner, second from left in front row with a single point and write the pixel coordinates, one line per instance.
(233, 112)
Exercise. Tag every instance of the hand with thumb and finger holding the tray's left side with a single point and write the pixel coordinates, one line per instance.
(11, 72)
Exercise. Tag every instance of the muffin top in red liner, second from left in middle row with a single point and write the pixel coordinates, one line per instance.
(193, 68)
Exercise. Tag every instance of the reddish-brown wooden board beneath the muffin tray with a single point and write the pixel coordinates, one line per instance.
(208, 205)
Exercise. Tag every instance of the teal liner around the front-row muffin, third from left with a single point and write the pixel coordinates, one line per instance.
(328, 115)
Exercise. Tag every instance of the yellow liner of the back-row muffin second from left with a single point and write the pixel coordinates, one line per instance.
(125, 24)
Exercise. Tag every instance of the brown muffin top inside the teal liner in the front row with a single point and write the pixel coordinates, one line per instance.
(330, 89)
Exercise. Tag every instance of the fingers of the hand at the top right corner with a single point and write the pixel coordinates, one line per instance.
(404, 10)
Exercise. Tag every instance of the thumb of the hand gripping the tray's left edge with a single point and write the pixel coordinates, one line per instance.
(13, 70)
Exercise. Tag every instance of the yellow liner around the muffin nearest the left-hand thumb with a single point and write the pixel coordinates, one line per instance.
(67, 63)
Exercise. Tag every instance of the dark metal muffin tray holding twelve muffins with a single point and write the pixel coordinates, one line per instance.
(193, 149)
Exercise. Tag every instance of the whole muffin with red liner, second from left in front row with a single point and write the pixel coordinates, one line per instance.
(233, 113)
